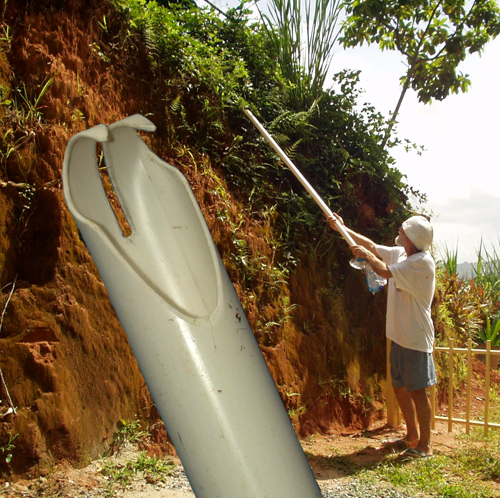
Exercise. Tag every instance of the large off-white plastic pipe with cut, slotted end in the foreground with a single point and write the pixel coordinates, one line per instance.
(183, 319)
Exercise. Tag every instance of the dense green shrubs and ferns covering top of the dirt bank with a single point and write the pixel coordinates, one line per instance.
(207, 67)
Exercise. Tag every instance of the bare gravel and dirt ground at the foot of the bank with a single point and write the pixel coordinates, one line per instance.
(91, 482)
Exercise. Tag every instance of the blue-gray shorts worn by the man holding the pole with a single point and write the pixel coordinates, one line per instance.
(411, 369)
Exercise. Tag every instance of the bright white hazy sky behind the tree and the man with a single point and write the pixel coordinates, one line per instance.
(459, 171)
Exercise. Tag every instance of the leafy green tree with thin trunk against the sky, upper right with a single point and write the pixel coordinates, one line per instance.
(434, 36)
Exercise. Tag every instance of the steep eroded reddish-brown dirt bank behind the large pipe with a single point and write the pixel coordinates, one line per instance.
(65, 358)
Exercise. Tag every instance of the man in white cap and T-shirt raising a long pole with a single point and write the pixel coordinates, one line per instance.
(410, 270)
